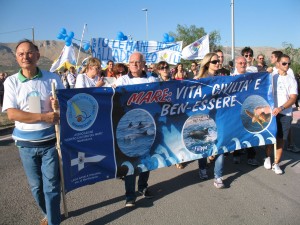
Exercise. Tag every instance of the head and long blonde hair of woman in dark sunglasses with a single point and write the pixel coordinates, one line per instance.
(209, 66)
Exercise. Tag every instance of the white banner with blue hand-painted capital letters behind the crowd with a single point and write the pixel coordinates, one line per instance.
(120, 51)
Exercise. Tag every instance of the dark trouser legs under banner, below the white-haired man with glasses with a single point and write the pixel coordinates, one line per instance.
(130, 184)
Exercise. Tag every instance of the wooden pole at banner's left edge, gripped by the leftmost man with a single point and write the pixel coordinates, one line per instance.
(61, 172)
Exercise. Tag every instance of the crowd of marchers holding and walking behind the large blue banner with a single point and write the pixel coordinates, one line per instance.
(28, 101)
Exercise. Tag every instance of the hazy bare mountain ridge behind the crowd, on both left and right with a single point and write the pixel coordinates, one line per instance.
(50, 50)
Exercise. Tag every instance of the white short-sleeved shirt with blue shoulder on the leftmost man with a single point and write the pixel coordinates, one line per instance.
(17, 94)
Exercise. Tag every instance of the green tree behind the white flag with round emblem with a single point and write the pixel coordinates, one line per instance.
(190, 34)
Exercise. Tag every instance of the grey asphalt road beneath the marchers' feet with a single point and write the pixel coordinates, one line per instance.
(252, 195)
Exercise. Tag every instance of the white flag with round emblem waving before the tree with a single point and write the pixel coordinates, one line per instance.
(196, 50)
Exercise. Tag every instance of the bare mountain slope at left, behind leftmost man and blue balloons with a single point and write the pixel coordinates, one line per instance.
(50, 50)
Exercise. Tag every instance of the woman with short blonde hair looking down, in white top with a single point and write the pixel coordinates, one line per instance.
(91, 76)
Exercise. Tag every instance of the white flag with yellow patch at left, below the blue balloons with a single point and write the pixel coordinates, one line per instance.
(66, 59)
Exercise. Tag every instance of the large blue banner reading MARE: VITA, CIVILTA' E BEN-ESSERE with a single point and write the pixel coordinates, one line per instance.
(109, 132)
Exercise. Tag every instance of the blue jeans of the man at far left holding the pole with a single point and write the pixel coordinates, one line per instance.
(42, 170)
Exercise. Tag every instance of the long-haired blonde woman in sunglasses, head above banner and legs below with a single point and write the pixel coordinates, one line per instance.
(209, 67)
